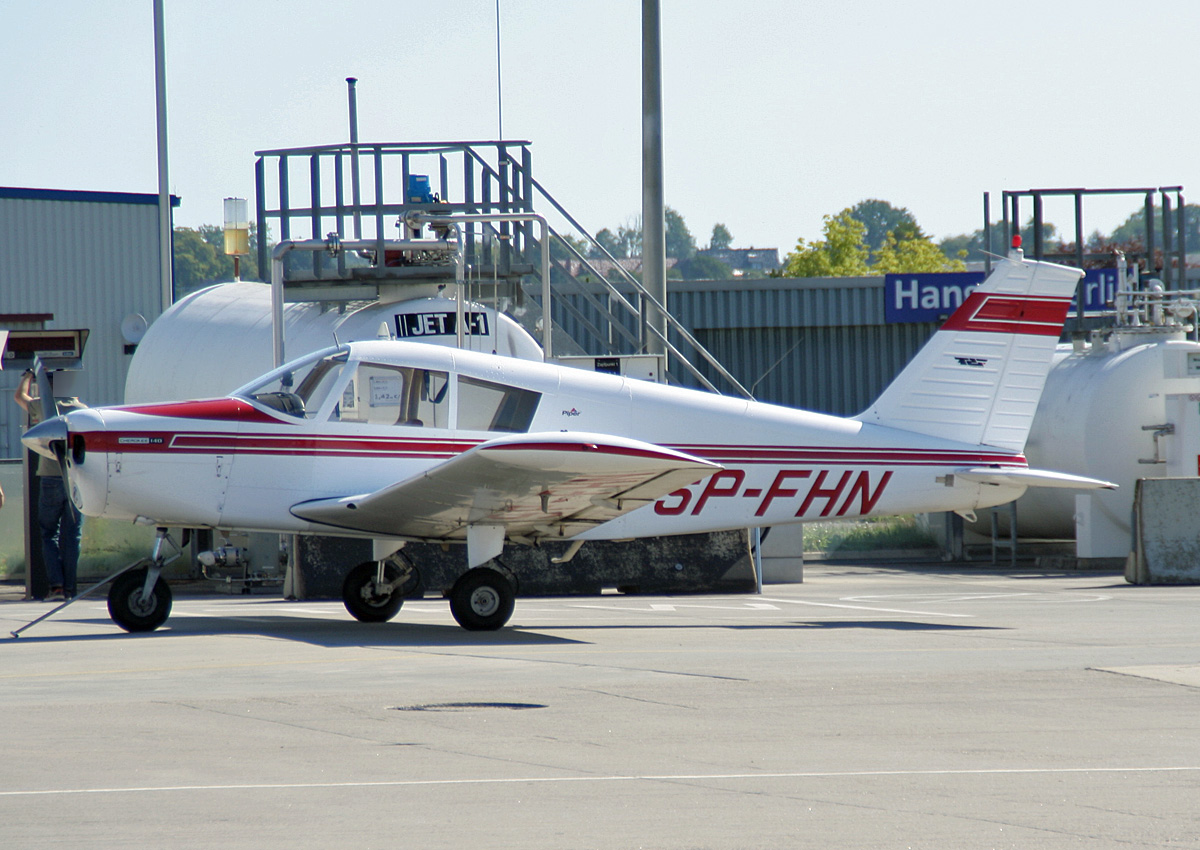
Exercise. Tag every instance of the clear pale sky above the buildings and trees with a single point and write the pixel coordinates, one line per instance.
(776, 112)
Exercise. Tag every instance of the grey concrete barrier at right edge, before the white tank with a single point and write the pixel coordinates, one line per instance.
(1166, 532)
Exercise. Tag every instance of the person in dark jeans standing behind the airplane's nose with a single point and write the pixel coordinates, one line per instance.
(62, 525)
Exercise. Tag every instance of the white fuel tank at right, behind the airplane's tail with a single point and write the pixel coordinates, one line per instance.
(1097, 418)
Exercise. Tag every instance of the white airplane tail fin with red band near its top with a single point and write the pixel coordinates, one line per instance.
(981, 376)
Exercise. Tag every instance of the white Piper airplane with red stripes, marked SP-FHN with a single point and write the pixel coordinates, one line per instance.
(409, 442)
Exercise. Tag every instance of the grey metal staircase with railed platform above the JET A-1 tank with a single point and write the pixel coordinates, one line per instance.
(373, 194)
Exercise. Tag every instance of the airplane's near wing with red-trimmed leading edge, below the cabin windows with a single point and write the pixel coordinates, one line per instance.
(523, 487)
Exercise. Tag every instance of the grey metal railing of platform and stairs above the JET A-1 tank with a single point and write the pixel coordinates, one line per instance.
(505, 190)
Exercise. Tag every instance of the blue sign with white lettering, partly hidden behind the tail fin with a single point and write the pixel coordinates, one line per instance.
(933, 297)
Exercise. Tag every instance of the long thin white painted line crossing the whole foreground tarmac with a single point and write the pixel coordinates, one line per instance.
(645, 777)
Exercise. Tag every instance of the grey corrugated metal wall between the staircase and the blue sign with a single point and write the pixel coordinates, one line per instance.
(817, 344)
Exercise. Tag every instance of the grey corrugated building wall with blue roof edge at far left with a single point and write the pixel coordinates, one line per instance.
(91, 259)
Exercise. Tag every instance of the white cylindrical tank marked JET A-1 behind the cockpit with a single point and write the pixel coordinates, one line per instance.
(220, 338)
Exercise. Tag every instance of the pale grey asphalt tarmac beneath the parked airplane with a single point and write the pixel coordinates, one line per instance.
(868, 708)
